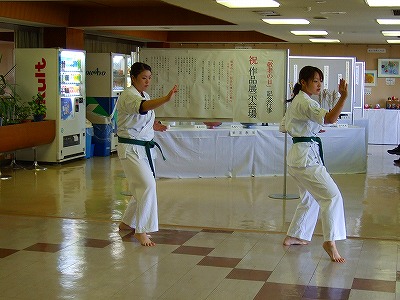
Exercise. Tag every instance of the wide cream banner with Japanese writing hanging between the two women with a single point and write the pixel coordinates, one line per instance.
(243, 85)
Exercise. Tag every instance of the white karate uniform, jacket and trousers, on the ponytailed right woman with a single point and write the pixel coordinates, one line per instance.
(318, 191)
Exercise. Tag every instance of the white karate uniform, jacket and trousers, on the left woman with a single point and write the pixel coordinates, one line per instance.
(141, 212)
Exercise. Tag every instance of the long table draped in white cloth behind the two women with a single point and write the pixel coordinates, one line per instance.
(194, 153)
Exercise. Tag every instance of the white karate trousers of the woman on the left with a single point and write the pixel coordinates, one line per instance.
(141, 212)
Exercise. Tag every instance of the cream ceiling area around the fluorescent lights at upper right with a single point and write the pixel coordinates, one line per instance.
(350, 21)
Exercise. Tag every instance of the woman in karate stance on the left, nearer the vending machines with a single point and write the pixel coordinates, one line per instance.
(136, 124)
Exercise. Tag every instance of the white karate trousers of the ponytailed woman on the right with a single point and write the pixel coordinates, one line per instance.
(318, 194)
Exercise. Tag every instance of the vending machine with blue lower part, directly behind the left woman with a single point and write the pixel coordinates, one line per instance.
(106, 78)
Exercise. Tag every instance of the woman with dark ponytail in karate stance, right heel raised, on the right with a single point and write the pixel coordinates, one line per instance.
(319, 194)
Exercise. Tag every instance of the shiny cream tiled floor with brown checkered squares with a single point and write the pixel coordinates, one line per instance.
(220, 238)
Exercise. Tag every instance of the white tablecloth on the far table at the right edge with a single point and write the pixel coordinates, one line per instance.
(383, 126)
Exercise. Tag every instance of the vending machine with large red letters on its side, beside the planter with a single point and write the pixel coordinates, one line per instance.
(59, 76)
